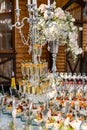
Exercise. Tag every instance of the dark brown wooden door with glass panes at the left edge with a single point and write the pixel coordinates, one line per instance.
(7, 49)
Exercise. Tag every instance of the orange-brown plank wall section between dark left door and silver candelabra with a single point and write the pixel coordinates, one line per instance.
(21, 50)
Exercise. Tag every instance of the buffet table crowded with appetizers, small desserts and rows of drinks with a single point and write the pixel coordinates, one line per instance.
(62, 105)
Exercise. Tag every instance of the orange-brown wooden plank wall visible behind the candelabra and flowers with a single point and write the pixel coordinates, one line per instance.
(22, 50)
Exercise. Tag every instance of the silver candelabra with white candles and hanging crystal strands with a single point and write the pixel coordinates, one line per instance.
(33, 20)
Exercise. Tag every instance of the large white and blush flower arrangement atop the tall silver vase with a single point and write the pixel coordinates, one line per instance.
(57, 24)
